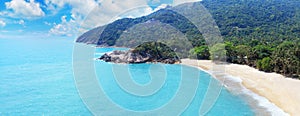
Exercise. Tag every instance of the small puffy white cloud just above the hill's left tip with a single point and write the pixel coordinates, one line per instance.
(65, 28)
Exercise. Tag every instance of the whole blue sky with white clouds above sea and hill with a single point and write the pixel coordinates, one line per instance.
(68, 18)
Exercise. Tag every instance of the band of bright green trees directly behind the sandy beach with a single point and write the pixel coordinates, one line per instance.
(283, 59)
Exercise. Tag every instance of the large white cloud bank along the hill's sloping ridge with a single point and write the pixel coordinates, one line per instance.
(89, 14)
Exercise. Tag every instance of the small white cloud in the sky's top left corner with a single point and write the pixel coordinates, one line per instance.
(22, 8)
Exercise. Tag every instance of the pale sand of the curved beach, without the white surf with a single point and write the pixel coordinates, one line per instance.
(283, 92)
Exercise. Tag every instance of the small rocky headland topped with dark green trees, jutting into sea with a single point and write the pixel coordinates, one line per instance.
(147, 52)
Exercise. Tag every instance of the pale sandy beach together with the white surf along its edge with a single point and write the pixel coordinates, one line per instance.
(281, 93)
